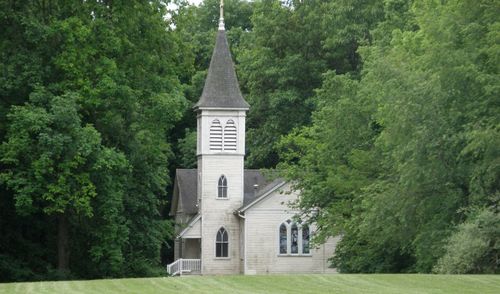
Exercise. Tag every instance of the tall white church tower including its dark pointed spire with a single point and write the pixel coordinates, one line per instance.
(221, 113)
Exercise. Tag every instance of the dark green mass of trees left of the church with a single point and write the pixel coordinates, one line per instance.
(89, 91)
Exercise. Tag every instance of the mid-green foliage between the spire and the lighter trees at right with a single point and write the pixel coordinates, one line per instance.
(284, 58)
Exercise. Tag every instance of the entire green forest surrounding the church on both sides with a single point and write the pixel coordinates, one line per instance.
(384, 113)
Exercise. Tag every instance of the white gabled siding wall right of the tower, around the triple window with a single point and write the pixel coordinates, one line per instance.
(262, 222)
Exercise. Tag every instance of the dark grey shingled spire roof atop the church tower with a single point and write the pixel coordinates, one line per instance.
(221, 88)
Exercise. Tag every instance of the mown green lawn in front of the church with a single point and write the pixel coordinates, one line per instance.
(339, 283)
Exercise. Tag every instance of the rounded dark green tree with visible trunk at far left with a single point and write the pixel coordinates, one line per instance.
(50, 158)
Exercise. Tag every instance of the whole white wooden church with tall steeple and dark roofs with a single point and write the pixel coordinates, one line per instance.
(230, 220)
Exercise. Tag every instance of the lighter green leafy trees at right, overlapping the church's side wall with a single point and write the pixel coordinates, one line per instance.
(404, 161)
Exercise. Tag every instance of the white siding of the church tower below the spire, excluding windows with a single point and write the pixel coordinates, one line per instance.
(217, 213)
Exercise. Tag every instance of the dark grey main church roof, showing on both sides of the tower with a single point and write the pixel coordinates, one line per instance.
(187, 181)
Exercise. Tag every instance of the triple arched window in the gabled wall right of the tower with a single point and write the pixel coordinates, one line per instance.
(294, 238)
